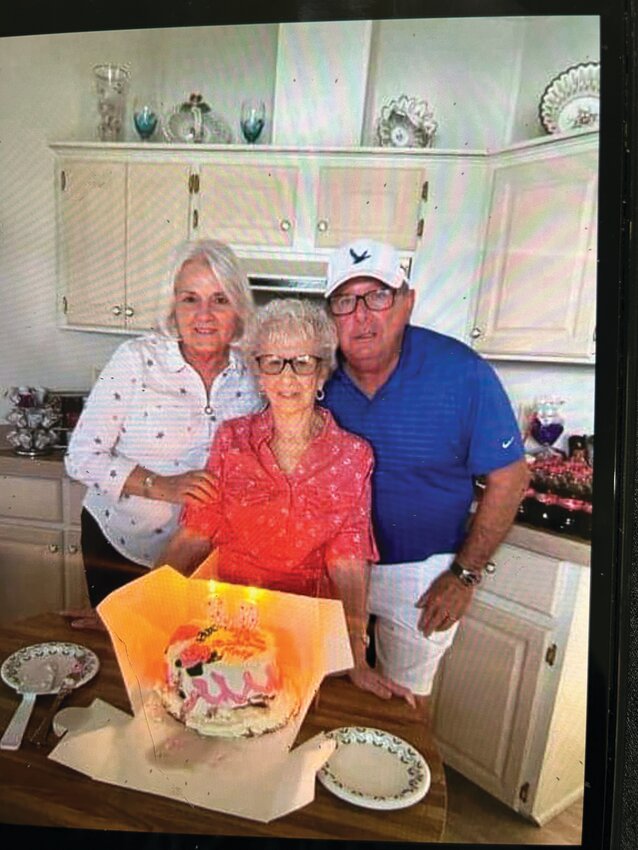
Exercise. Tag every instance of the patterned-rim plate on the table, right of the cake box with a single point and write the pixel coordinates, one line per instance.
(374, 769)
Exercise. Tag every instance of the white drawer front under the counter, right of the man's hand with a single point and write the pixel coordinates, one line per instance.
(527, 578)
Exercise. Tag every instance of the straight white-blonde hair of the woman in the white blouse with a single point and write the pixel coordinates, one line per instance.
(226, 267)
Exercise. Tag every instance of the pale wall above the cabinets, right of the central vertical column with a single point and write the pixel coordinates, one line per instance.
(483, 77)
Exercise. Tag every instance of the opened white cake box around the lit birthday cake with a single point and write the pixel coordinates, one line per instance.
(260, 778)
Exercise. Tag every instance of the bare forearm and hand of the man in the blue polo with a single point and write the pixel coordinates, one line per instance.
(447, 598)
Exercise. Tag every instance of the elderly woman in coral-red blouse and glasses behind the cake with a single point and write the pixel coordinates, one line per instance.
(292, 510)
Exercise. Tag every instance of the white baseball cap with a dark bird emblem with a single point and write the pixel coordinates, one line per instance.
(364, 258)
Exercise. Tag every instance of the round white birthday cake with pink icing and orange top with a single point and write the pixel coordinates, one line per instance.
(226, 681)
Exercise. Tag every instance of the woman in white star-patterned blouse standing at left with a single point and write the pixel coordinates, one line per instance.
(145, 433)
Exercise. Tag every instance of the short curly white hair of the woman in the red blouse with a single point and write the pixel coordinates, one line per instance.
(283, 318)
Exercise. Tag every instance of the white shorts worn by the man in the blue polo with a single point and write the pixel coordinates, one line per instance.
(404, 654)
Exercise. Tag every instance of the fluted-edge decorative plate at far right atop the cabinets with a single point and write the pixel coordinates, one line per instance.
(571, 101)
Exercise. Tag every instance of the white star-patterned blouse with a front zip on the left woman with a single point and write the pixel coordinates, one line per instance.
(149, 408)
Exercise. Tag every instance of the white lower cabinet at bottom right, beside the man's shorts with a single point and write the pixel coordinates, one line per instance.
(509, 701)
